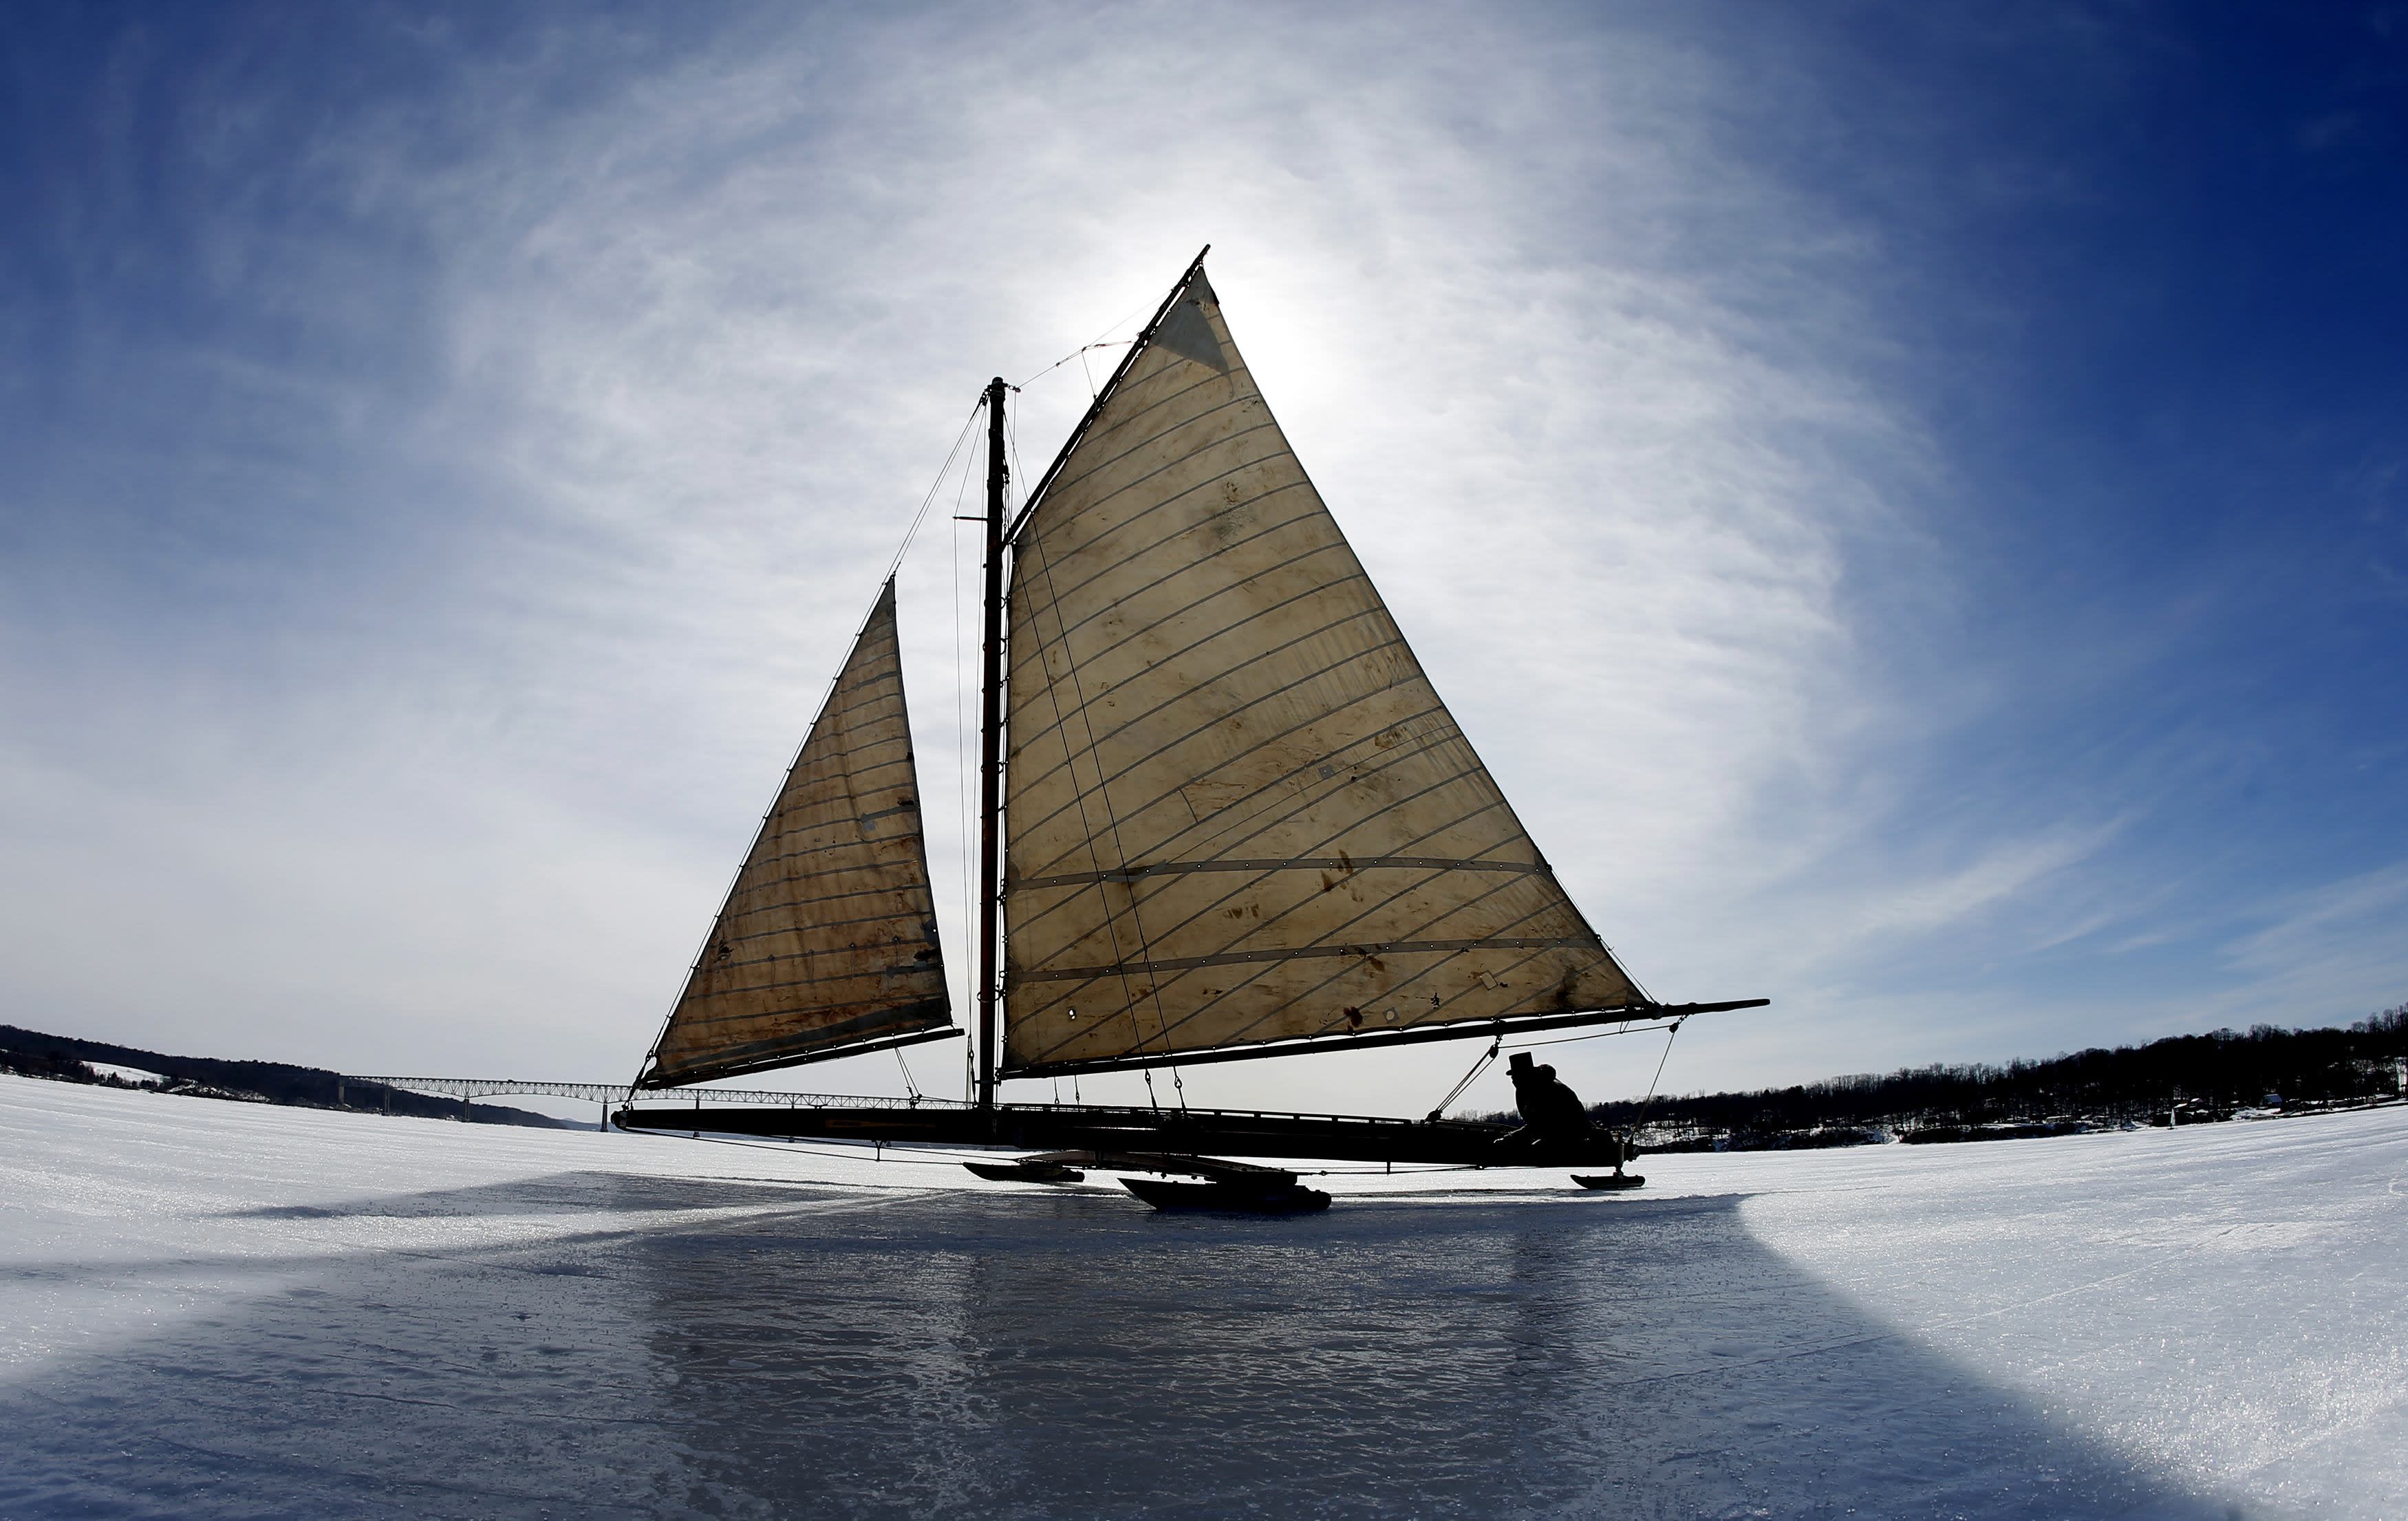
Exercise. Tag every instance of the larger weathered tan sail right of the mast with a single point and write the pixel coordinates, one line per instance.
(1237, 810)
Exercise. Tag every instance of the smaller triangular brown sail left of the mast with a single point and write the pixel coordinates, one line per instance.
(827, 942)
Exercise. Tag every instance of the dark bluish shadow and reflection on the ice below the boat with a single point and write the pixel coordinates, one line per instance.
(825, 1354)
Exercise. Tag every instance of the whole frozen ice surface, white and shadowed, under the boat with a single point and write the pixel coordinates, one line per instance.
(237, 1310)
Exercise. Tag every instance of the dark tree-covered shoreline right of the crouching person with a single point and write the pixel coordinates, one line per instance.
(2197, 1077)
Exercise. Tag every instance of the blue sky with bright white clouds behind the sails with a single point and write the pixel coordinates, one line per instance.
(1908, 502)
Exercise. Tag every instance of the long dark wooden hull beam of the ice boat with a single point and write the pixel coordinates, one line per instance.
(1099, 1128)
